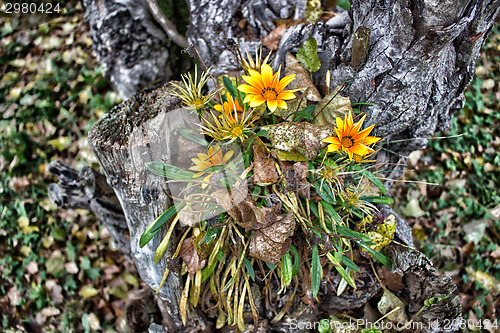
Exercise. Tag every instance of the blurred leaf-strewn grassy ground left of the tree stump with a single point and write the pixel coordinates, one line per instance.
(59, 269)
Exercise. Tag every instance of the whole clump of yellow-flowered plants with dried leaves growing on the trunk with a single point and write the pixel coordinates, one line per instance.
(281, 191)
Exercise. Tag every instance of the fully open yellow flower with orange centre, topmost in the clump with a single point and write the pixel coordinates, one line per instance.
(266, 87)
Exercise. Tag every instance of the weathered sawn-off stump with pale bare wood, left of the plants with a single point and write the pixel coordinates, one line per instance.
(131, 134)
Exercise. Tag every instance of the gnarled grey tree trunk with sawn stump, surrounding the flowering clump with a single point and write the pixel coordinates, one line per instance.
(421, 57)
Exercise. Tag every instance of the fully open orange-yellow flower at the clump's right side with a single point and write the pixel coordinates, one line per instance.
(350, 139)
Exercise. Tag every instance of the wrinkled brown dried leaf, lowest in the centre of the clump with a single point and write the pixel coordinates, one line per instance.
(268, 243)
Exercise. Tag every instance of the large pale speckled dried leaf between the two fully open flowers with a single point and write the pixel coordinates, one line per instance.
(304, 138)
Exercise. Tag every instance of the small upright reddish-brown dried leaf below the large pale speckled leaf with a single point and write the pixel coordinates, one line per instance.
(264, 170)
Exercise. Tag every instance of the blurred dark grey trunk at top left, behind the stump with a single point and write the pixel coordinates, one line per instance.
(131, 47)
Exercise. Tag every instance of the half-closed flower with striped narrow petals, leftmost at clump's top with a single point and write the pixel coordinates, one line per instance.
(191, 93)
